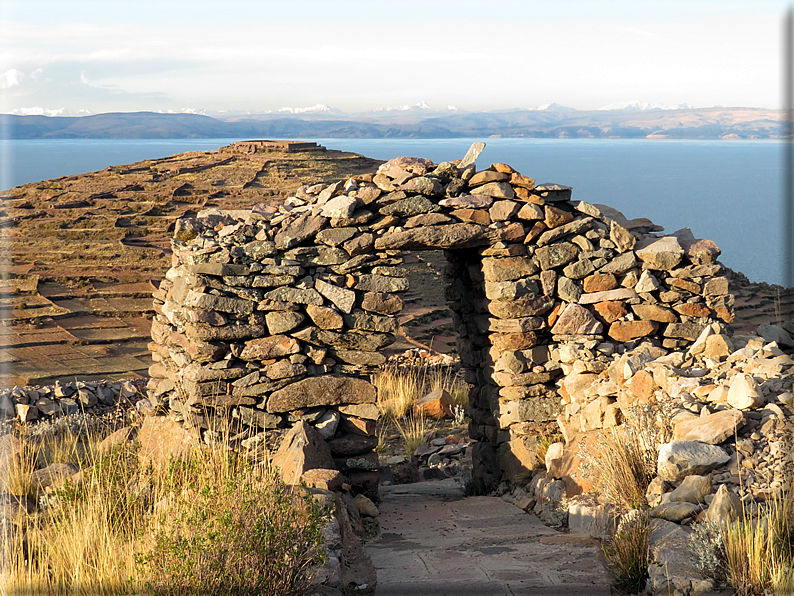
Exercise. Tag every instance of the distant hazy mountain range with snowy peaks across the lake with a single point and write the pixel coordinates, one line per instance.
(418, 121)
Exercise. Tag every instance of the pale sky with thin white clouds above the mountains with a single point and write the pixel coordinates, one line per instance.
(86, 56)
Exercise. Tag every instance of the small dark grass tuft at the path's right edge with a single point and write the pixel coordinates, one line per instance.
(628, 551)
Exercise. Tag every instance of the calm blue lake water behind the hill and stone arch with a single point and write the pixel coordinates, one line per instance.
(728, 191)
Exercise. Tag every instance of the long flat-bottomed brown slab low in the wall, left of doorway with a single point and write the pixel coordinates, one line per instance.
(322, 391)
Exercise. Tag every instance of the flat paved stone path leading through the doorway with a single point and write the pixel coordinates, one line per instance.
(436, 542)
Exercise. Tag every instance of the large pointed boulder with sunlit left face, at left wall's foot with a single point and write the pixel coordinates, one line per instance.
(302, 449)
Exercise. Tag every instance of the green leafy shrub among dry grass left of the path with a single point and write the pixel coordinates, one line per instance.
(241, 533)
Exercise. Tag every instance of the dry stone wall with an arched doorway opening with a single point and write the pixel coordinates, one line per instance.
(280, 314)
